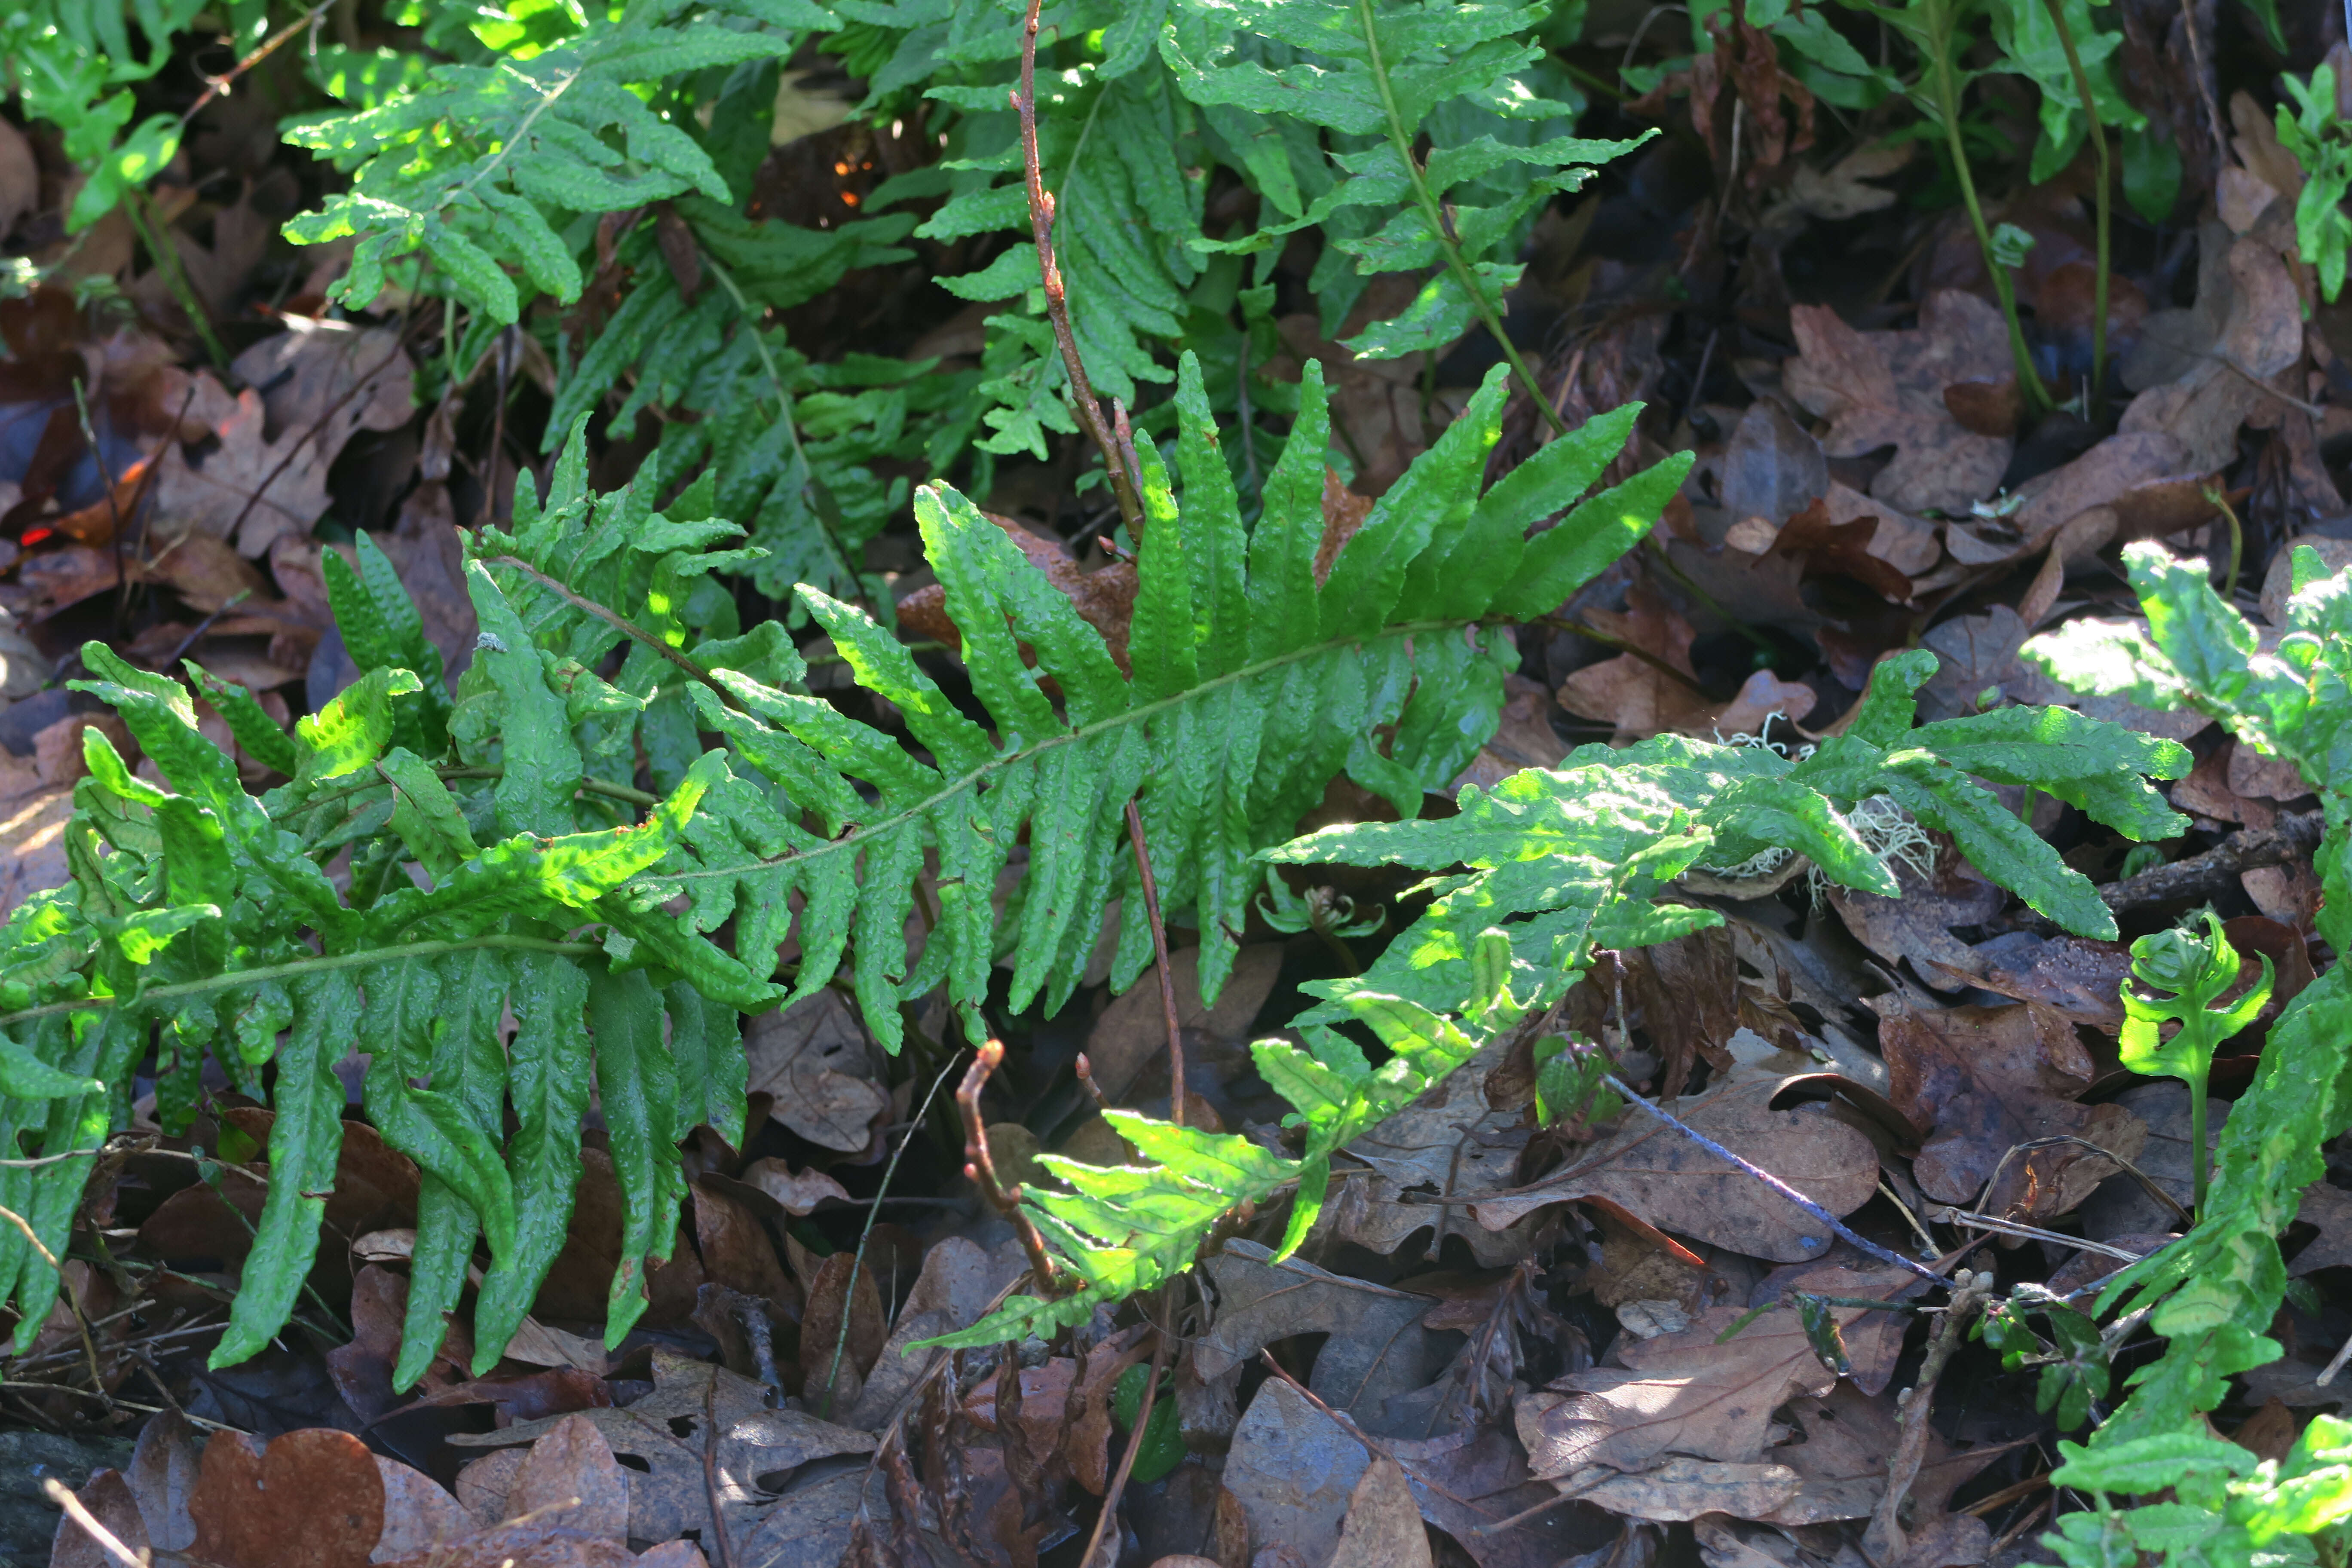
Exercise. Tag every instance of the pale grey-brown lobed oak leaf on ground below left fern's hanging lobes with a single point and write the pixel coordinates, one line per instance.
(754, 1449)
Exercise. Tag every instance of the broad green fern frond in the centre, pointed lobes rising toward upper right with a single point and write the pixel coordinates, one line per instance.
(1252, 690)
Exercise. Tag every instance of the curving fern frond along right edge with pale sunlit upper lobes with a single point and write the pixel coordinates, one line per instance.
(2214, 1292)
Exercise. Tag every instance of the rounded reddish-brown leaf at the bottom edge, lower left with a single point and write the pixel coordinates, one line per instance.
(309, 1499)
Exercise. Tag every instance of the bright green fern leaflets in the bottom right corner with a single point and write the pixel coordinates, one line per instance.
(2226, 1508)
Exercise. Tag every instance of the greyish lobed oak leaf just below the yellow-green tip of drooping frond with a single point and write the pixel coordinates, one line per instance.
(1377, 1343)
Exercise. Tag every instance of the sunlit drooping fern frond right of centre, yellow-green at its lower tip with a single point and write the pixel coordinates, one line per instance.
(1563, 864)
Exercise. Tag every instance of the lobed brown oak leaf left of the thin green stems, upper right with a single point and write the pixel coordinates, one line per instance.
(1885, 389)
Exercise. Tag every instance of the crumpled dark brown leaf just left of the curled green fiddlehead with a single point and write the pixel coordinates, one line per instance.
(1984, 1080)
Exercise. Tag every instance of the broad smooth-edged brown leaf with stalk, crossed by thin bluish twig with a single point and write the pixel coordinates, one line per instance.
(1666, 1181)
